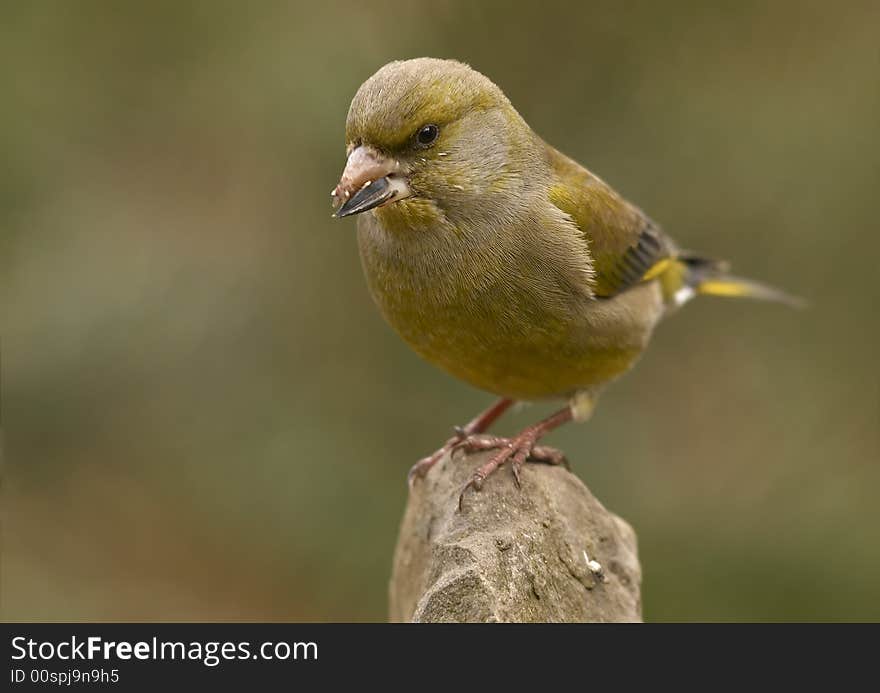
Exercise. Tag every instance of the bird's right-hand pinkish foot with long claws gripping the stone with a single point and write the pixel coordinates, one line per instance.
(518, 450)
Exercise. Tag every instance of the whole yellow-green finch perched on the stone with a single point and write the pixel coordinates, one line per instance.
(500, 259)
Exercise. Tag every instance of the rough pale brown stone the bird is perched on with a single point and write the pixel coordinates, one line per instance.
(550, 552)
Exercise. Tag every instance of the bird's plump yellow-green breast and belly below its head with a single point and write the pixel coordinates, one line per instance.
(502, 312)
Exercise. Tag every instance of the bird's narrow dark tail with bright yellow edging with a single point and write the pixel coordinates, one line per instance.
(688, 275)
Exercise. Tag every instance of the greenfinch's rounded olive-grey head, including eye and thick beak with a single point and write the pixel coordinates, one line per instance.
(430, 138)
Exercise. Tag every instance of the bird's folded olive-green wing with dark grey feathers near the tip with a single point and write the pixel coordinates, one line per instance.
(626, 247)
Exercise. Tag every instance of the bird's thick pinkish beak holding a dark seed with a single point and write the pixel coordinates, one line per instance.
(369, 180)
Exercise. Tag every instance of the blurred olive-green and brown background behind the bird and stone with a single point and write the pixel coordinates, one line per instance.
(205, 417)
